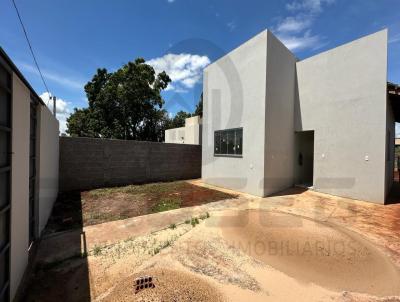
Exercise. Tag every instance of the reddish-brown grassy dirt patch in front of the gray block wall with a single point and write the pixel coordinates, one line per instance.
(79, 209)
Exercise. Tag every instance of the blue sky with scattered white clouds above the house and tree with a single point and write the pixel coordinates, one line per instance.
(72, 39)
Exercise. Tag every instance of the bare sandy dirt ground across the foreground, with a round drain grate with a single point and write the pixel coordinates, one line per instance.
(296, 246)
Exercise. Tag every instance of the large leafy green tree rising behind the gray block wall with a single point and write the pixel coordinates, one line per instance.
(125, 104)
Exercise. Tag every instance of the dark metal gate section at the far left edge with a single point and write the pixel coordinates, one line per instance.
(5, 180)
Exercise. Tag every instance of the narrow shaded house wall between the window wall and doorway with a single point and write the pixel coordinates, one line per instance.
(279, 112)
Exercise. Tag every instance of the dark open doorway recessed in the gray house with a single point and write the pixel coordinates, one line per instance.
(304, 159)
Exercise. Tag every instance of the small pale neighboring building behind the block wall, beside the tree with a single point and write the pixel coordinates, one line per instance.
(189, 134)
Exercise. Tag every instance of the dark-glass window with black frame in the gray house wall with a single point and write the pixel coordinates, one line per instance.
(228, 142)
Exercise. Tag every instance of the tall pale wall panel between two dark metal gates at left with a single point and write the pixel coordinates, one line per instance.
(19, 183)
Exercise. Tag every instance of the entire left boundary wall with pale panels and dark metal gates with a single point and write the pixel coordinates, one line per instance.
(32, 147)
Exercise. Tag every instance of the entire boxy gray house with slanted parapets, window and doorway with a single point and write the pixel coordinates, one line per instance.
(327, 122)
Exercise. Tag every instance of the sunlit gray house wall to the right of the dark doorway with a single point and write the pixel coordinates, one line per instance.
(342, 97)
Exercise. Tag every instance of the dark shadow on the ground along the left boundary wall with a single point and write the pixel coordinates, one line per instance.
(60, 269)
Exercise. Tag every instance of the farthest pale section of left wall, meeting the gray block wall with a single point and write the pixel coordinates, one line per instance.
(48, 163)
